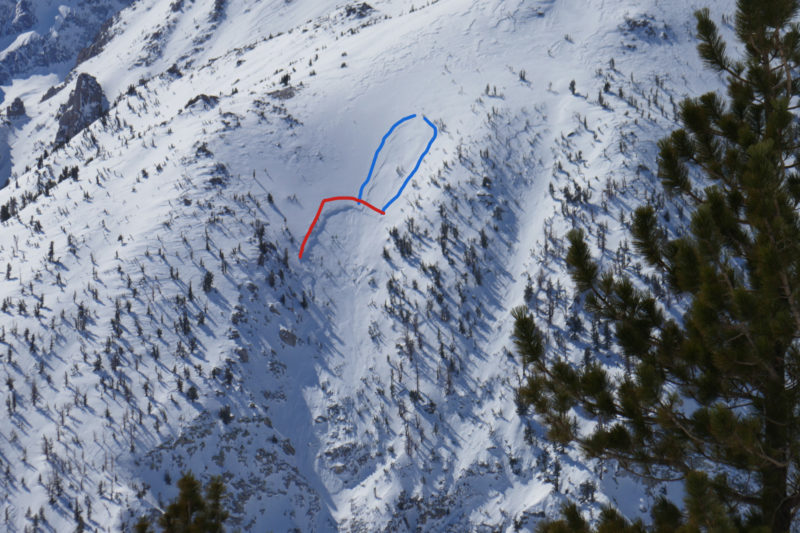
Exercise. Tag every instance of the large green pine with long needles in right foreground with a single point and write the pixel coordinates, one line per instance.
(712, 399)
